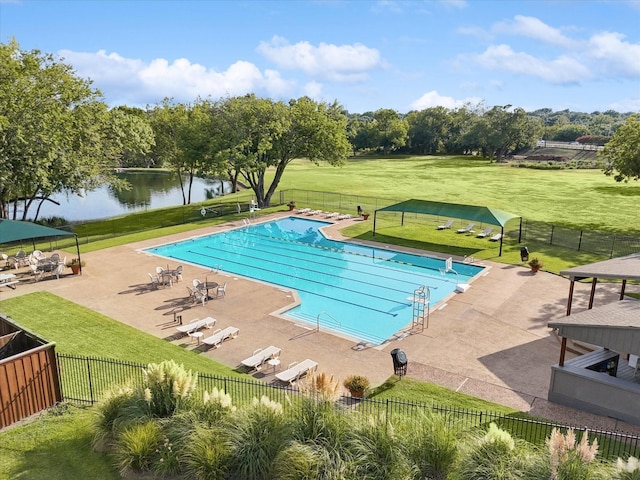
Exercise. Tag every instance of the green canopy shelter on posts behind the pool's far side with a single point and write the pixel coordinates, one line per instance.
(474, 213)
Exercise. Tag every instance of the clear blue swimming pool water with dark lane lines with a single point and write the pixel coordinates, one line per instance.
(360, 291)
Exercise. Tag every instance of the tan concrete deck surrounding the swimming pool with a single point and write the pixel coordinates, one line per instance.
(491, 341)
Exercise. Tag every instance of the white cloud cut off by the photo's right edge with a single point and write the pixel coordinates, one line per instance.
(615, 56)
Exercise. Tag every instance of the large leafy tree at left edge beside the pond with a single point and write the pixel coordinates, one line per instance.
(55, 133)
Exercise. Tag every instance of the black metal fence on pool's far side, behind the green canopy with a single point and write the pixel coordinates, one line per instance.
(606, 244)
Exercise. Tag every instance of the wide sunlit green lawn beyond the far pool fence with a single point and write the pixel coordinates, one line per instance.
(578, 198)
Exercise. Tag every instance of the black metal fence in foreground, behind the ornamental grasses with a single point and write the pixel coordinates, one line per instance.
(87, 379)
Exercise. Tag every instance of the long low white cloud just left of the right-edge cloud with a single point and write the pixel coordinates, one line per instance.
(561, 70)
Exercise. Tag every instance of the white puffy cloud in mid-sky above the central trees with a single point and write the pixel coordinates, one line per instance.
(344, 63)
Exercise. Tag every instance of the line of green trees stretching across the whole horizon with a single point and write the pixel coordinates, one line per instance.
(58, 135)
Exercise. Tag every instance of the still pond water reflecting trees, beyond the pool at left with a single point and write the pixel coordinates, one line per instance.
(148, 190)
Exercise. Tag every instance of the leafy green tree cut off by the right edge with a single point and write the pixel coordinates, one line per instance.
(622, 152)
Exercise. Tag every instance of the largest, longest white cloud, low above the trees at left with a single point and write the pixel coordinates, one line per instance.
(133, 81)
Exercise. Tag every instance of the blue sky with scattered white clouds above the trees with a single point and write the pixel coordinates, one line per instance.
(582, 55)
